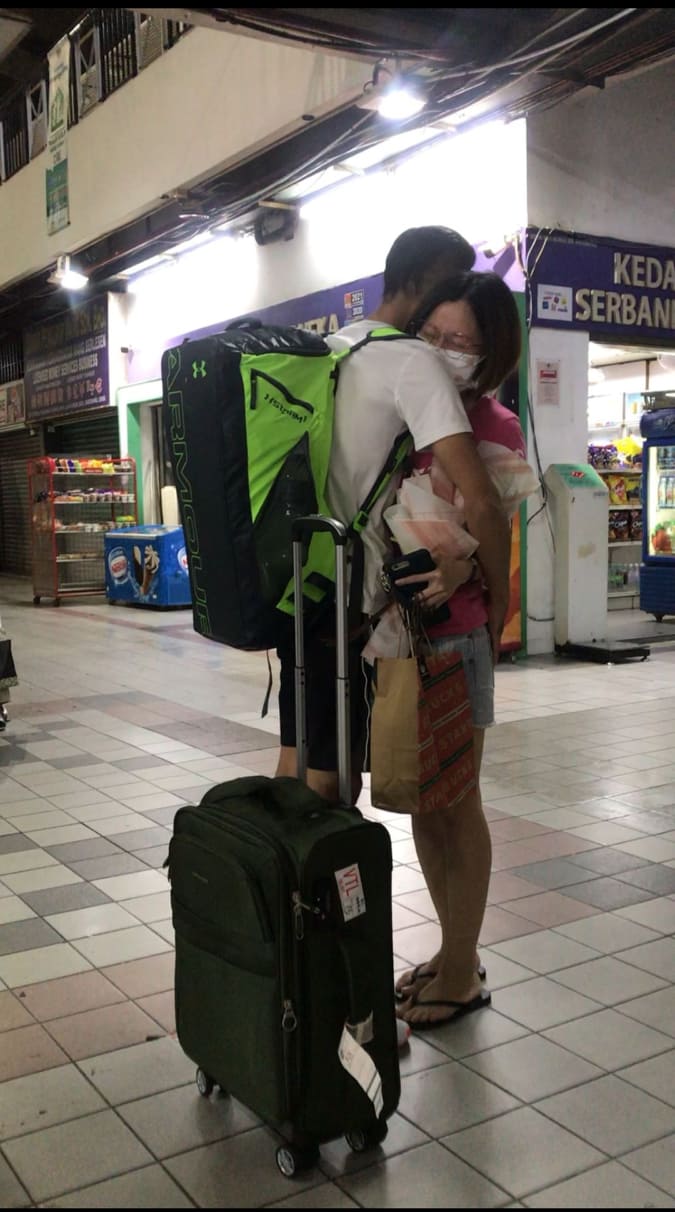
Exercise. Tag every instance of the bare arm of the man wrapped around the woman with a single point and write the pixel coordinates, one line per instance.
(487, 522)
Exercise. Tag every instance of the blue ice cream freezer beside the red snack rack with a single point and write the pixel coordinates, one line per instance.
(147, 565)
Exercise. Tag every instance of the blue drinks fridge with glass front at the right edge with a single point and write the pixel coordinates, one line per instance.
(657, 571)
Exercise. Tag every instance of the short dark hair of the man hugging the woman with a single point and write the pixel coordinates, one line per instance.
(422, 254)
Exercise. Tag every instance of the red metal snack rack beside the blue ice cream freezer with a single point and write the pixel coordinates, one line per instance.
(75, 504)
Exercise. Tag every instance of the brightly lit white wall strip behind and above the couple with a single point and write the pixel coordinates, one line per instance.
(346, 236)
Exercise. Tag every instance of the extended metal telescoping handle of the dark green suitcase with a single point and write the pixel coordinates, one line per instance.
(301, 528)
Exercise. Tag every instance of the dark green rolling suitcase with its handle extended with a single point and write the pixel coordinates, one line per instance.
(282, 906)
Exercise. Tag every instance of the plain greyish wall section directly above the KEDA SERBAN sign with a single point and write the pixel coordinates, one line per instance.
(603, 162)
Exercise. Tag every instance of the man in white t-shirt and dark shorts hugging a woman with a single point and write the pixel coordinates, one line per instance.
(390, 387)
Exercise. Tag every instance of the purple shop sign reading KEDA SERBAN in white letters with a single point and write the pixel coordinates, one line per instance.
(608, 288)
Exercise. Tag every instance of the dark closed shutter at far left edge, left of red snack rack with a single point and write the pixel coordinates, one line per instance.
(15, 506)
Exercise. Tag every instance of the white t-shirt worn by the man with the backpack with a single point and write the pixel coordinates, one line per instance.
(385, 390)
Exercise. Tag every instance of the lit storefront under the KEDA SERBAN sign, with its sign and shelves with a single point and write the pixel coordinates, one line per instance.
(603, 338)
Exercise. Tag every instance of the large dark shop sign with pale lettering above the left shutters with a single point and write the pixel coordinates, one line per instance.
(66, 363)
